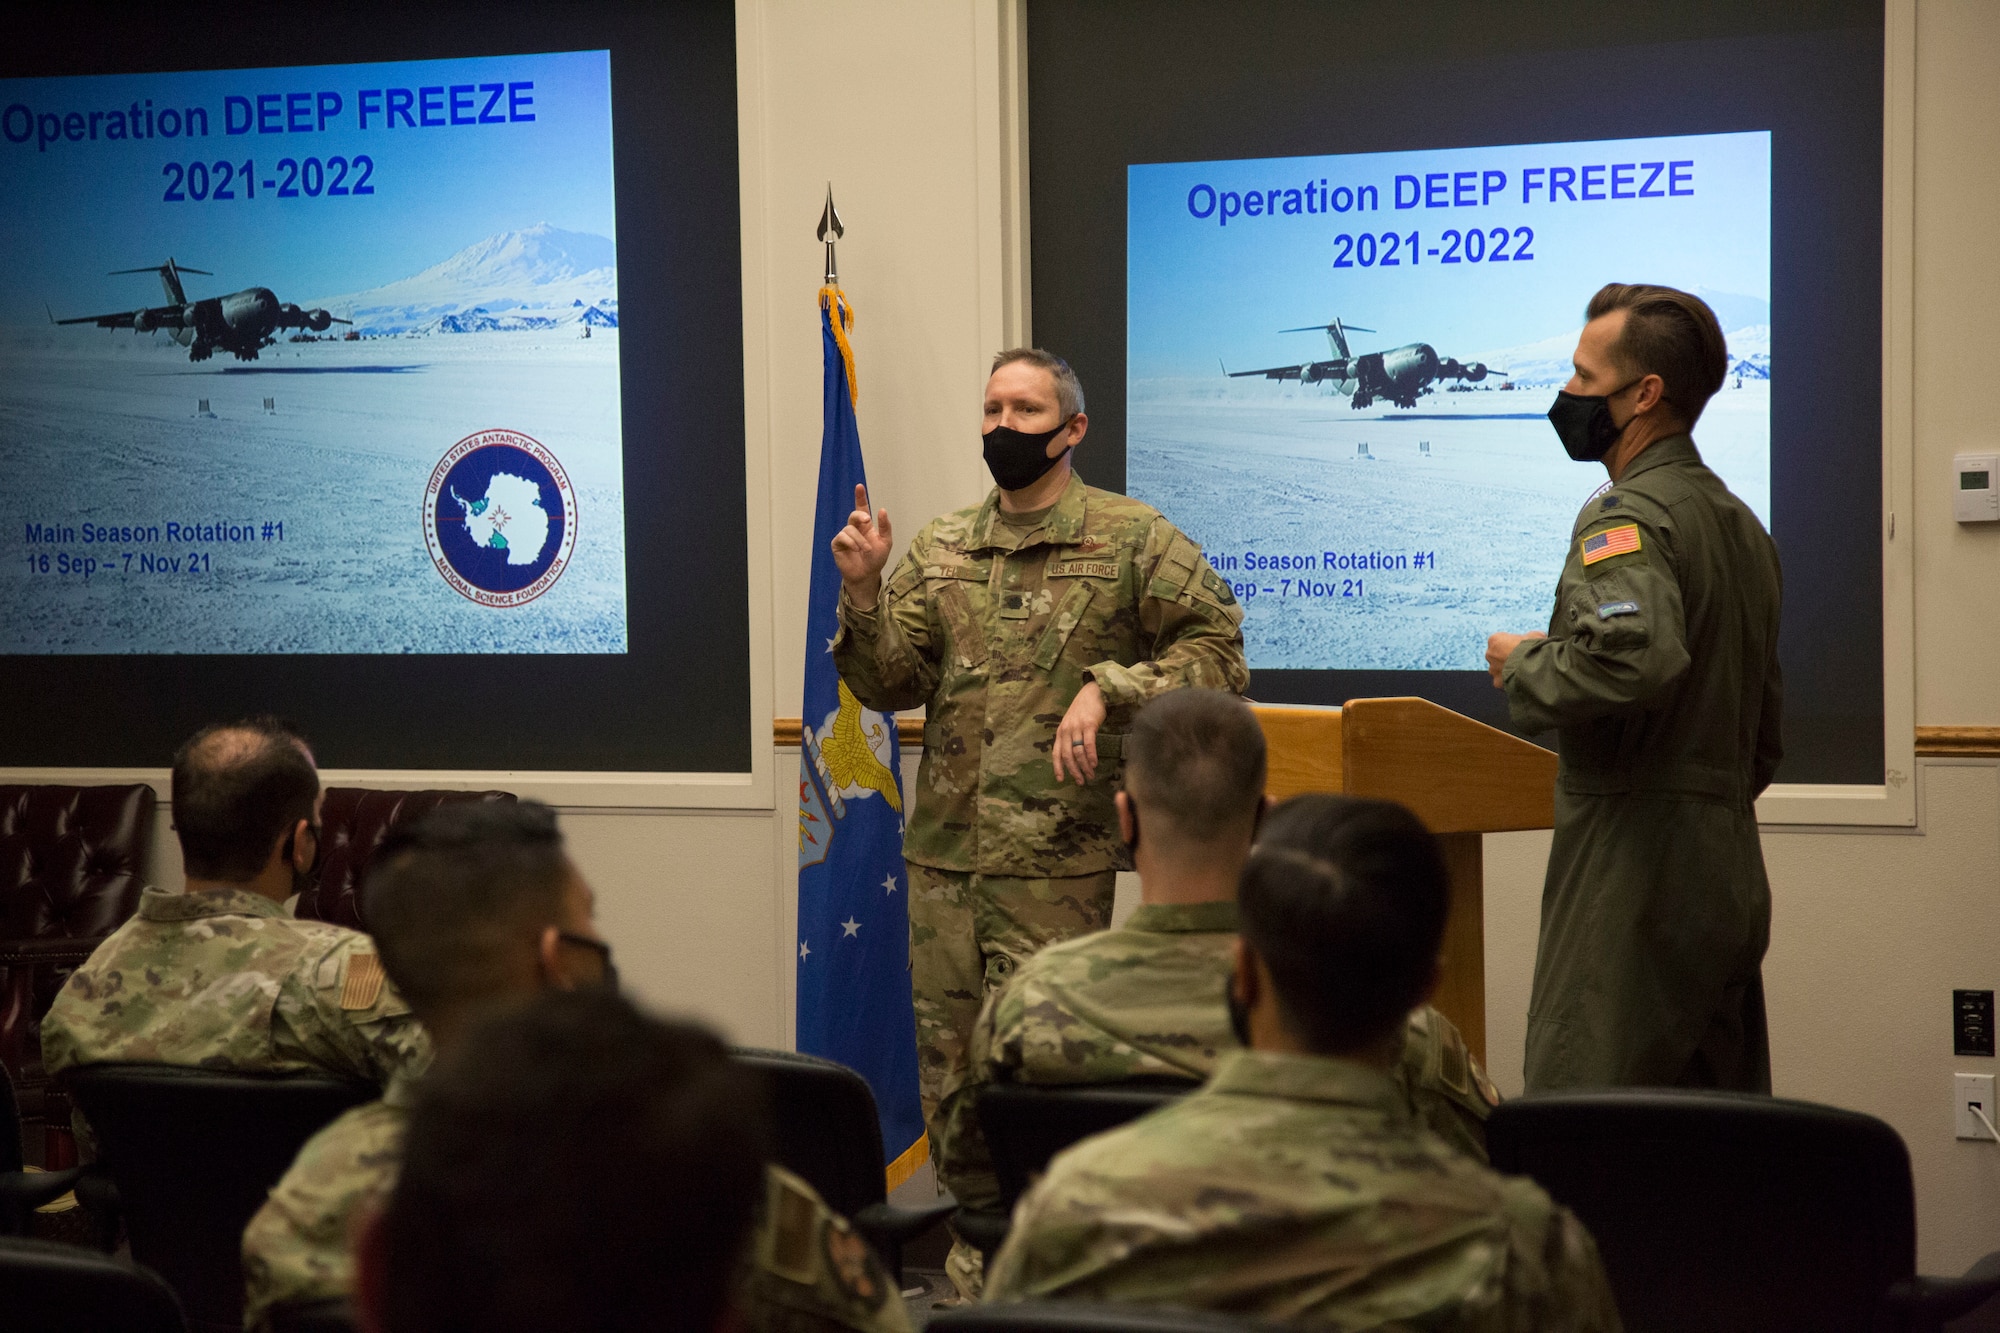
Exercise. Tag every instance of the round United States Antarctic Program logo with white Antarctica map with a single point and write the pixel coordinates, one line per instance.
(501, 517)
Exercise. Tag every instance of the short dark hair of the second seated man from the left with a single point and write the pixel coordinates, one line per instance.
(457, 894)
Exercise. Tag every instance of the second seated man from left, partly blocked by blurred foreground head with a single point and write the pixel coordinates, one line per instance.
(475, 908)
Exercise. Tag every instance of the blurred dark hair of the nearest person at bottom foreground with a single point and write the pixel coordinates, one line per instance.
(575, 1164)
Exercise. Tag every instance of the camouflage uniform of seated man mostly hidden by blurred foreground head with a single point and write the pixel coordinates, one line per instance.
(809, 1272)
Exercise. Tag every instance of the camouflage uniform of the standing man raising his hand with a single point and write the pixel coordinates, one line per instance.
(993, 625)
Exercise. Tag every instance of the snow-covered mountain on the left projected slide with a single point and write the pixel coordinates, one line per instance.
(531, 279)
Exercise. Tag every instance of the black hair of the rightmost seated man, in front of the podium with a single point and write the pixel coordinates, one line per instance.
(1345, 900)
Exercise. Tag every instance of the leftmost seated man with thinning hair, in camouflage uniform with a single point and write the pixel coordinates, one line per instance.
(219, 974)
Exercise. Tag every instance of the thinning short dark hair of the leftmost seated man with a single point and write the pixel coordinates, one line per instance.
(237, 788)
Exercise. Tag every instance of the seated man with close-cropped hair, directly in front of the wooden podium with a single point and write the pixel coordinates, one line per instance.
(1149, 998)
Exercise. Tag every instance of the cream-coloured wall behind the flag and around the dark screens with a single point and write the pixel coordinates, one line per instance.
(901, 105)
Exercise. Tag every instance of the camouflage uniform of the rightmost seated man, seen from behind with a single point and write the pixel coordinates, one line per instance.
(1301, 1188)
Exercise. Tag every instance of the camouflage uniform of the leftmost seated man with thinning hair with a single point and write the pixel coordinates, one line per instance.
(229, 980)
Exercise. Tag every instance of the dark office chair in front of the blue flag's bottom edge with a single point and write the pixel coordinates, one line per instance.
(827, 1132)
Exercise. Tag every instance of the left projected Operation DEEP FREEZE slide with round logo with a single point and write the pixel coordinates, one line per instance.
(311, 361)
